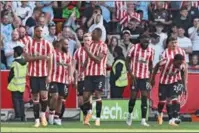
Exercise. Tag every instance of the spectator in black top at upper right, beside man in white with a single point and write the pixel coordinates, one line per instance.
(183, 20)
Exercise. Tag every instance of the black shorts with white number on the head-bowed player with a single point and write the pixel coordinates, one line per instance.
(170, 91)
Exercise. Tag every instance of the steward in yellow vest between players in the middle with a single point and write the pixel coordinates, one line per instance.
(118, 78)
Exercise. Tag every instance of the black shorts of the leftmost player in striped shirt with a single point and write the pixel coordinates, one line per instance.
(38, 84)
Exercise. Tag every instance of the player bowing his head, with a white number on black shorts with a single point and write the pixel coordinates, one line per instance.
(169, 87)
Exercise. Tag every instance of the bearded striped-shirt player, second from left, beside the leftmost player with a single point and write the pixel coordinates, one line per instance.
(58, 88)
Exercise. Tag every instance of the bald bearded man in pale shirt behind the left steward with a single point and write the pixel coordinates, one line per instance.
(9, 53)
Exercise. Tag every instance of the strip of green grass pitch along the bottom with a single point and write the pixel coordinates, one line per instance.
(105, 127)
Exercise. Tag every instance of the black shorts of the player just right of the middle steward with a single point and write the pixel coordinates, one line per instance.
(142, 85)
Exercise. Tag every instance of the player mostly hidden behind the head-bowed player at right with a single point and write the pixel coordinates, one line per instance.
(170, 52)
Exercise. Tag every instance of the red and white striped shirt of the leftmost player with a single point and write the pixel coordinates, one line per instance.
(34, 48)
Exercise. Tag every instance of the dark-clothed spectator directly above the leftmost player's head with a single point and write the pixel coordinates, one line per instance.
(32, 21)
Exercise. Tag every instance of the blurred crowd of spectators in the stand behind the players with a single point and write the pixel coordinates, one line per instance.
(121, 22)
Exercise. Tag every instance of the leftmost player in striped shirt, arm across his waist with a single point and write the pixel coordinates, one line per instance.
(38, 53)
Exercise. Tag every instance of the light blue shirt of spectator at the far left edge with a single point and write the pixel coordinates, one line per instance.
(6, 32)
